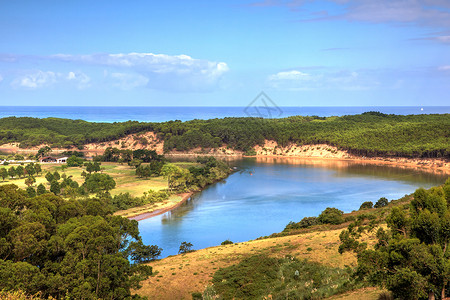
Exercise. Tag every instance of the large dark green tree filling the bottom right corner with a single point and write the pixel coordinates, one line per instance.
(411, 258)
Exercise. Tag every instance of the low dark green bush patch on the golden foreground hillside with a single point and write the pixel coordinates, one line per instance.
(258, 276)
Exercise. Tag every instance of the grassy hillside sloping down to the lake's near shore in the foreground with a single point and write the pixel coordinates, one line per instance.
(181, 276)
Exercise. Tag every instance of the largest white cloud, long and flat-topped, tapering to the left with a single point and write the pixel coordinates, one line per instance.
(166, 72)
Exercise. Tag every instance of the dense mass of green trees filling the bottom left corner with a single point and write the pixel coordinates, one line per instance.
(71, 249)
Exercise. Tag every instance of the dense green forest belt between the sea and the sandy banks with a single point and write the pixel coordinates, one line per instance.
(368, 134)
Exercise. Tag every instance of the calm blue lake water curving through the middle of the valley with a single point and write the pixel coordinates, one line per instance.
(266, 194)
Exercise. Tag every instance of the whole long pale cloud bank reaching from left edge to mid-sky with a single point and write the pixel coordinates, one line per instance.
(174, 73)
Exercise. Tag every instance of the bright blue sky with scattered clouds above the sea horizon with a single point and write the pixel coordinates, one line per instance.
(224, 53)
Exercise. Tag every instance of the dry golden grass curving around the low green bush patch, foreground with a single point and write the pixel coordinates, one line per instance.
(177, 277)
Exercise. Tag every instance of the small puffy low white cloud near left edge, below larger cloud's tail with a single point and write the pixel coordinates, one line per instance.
(39, 79)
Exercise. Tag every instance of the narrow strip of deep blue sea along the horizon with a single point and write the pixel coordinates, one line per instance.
(110, 114)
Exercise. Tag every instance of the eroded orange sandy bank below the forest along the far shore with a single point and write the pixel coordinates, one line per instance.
(270, 149)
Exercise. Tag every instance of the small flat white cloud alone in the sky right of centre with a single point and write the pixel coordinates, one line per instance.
(336, 80)
